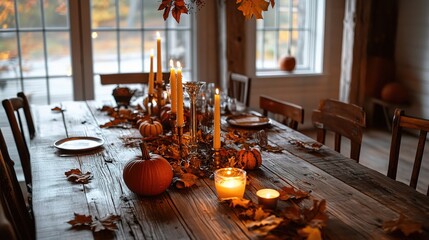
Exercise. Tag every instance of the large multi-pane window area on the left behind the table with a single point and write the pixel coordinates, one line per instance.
(35, 44)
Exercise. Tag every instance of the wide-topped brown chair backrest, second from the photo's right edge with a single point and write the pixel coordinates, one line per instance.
(343, 119)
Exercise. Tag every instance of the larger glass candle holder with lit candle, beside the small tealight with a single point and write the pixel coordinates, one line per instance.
(230, 182)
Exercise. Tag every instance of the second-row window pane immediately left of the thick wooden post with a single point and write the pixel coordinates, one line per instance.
(59, 57)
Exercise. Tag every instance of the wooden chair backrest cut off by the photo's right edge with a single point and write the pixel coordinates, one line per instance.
(400, 122)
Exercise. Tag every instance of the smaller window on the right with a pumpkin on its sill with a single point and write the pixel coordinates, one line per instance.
(295, 27)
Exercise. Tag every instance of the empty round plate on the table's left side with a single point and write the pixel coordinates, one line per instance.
(79, 143)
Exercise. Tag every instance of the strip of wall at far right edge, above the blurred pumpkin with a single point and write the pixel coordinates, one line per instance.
(412, 54)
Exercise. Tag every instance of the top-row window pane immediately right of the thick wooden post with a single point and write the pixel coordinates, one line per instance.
(103, 14)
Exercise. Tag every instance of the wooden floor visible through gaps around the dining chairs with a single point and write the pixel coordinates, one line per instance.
(374, 152)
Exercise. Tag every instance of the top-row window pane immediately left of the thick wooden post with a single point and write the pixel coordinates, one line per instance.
(55, 13)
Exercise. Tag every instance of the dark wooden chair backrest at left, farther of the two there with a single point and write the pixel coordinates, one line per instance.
(13, 108)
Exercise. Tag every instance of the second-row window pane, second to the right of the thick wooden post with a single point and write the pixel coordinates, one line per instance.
(130, 51)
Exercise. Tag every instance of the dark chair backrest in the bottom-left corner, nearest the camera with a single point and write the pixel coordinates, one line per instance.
(12, 198)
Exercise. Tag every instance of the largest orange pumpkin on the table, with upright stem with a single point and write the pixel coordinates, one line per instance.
(149, 176)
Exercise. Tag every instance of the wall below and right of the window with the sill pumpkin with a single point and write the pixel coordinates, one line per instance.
(307, 90)
